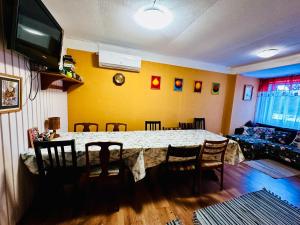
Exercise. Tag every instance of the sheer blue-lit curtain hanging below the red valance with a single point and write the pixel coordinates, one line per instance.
(279, 108)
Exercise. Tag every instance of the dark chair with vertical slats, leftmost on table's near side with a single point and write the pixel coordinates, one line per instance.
(55, 172)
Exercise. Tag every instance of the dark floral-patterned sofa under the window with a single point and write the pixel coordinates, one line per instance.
(259, 141)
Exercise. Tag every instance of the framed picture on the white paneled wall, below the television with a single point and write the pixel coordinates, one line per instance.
(11, 93)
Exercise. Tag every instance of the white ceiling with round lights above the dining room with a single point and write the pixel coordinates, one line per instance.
(222, 32)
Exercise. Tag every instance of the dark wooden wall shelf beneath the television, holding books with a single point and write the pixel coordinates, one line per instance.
(47, 78)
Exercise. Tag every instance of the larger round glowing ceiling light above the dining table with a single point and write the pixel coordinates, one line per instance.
(153, 17)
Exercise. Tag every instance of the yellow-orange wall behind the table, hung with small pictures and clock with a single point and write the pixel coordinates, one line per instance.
(99, 100)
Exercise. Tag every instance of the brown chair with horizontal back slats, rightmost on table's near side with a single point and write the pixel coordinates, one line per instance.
(216, 150)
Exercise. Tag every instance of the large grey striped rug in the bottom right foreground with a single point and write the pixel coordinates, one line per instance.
(257, 208)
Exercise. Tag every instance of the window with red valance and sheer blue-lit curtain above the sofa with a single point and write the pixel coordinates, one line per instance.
(278, 102)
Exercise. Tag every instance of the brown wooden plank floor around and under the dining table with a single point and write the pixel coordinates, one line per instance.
(154, 204)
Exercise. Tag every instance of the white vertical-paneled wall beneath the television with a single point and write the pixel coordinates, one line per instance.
(15, 181)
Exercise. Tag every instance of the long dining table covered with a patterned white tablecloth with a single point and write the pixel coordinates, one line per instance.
(141, 149)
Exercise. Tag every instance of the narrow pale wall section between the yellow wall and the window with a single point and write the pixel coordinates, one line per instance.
(243, 111)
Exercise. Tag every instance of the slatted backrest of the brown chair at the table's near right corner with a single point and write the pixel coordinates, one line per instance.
(216, 149)
